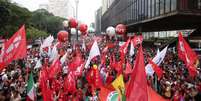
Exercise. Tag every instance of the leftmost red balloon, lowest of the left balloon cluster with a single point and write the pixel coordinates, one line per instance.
(62, 36)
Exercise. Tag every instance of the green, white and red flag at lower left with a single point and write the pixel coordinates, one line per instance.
(31, 91)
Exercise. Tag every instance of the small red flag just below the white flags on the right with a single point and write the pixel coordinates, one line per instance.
(158, 70)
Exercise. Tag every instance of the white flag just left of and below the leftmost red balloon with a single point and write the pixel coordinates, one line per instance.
(48, 41)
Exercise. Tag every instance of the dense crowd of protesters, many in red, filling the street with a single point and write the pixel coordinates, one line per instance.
(175, 84)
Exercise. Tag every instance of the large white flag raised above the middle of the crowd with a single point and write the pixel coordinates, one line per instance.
(93, 53)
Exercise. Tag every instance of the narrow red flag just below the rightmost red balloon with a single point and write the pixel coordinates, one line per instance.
(123, 49)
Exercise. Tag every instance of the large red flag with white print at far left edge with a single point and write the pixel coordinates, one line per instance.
(15, 48)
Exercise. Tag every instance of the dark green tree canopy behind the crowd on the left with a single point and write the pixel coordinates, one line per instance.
(38, 23)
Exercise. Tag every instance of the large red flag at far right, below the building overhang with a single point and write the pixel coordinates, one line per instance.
(186, 54)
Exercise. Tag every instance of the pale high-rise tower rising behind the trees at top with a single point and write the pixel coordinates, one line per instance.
(62, 8)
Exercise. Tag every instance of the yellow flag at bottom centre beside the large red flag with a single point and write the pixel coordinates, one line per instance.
(118, 84)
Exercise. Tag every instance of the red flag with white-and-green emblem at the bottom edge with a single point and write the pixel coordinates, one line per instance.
(108, 95)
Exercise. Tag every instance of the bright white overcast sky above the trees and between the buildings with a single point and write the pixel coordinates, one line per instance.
(86, 8)
